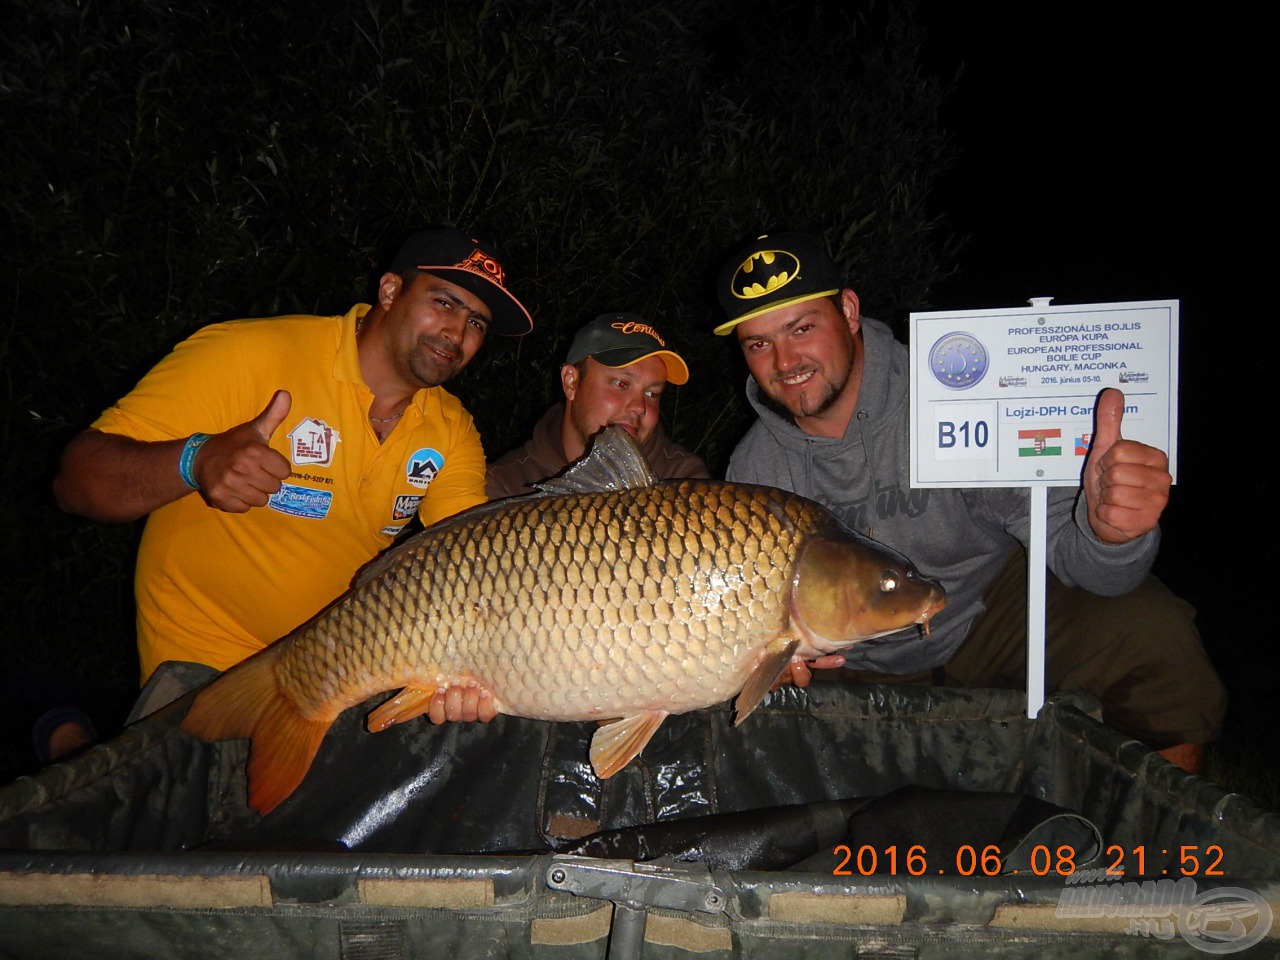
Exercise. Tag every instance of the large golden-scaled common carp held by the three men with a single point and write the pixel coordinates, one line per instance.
(607, 596)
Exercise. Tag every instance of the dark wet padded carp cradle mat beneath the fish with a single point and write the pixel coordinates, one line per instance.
(427, 842)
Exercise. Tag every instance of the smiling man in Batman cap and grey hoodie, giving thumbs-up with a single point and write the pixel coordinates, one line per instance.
(831, 388)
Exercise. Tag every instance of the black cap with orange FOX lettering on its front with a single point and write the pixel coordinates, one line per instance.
(472, 264)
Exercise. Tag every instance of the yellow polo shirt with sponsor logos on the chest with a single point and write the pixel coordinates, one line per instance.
(213, 587)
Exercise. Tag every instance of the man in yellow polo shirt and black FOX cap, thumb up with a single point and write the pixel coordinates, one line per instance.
(275, 458)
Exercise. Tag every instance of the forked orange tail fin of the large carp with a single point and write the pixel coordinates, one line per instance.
(248, 703)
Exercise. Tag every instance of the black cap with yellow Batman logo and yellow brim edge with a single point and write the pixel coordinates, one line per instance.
(771, 272)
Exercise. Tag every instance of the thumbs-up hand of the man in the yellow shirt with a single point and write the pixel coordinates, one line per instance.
(237, 470)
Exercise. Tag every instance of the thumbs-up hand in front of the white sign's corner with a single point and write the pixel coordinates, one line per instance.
(1126, 483)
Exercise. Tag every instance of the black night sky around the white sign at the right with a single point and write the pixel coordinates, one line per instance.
(1114, 161)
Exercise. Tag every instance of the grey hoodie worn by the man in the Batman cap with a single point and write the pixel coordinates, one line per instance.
(959, 537)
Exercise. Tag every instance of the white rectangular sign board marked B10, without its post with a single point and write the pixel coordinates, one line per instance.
(1005, 397)
